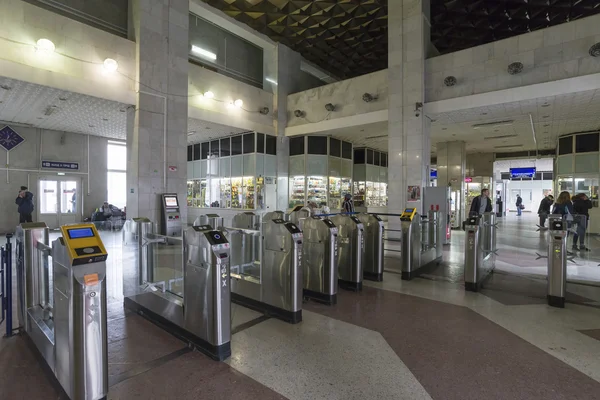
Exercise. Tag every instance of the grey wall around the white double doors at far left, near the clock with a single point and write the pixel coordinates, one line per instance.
(54, 146)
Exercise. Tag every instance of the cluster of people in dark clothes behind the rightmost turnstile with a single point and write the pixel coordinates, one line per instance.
(574, 209)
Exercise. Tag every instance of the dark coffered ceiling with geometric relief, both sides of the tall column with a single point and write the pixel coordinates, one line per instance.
(348, 38)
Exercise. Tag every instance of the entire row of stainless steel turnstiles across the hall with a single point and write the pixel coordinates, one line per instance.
(267, 263)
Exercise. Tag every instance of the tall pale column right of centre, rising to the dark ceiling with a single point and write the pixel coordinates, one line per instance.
(408, 143)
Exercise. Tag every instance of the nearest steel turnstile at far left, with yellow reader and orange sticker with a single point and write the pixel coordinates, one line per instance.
(68, 327)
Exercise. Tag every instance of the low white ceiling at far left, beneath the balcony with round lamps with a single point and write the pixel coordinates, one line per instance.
(27, 103)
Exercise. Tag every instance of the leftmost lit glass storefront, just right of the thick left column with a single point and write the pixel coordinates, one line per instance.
(231, 173)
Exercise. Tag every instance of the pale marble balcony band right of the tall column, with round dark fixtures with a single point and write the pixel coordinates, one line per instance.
(550, 54)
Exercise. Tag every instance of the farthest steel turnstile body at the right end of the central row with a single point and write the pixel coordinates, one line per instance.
(373, 225)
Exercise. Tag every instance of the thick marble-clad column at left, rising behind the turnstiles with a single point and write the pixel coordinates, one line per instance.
(157, 130)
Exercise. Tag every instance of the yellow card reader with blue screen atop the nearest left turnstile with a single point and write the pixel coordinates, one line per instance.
(83, 244)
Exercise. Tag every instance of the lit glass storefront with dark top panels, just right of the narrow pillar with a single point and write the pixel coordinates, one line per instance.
(320, 171)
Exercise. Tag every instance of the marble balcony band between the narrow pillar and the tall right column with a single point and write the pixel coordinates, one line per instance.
(345, 95)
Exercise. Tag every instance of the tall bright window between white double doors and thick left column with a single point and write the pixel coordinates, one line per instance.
(116, 179)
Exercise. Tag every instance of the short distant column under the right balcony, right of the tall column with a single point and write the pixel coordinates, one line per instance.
(451, 164)
